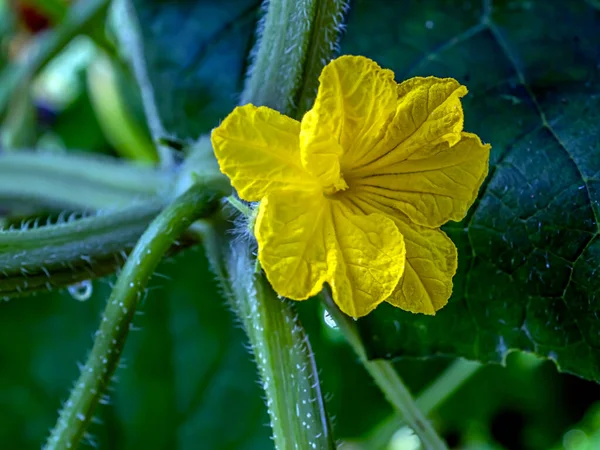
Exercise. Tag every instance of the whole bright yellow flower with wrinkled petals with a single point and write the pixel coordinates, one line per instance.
(354, 195)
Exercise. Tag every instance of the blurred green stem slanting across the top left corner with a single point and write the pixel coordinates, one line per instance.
(47, 46)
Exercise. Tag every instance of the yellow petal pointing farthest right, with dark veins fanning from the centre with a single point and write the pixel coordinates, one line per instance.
(430, 191)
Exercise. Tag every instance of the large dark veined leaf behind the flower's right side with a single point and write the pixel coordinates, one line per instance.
(529, 248)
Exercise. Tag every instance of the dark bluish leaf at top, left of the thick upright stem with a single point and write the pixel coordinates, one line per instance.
(192, 56)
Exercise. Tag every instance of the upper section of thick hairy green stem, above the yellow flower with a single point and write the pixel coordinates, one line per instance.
(296, 40)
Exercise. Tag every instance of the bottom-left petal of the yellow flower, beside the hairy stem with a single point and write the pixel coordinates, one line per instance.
(291, 230)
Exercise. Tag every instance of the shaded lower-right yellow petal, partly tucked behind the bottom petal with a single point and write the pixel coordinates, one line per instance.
(431, 262)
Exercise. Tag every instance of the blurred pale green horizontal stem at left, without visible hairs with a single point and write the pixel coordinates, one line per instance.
(78, 181)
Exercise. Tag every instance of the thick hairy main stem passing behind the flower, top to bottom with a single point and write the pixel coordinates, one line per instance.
(287, 38)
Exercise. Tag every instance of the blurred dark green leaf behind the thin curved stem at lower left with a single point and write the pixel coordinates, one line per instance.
(188, 383)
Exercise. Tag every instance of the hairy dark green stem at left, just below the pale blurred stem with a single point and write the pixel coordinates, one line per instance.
(46, 257)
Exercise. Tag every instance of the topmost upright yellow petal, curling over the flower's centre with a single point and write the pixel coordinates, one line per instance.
(355, 101)
